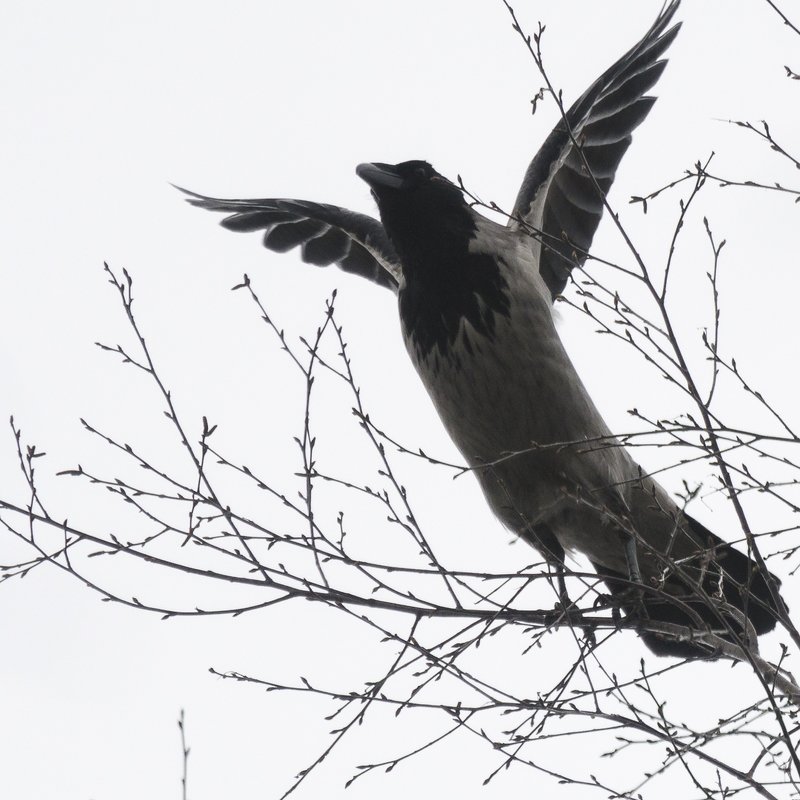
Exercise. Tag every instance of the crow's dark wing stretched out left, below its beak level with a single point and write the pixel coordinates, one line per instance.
(325, 234)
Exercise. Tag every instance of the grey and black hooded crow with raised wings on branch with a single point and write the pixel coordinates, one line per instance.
(475, 302)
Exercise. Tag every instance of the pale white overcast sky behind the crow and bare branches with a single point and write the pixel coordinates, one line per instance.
(105, 105)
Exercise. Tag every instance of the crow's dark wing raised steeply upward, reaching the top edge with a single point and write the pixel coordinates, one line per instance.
(560, 198)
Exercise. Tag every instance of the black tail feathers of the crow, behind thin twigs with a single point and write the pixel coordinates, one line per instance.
(728, 578)
